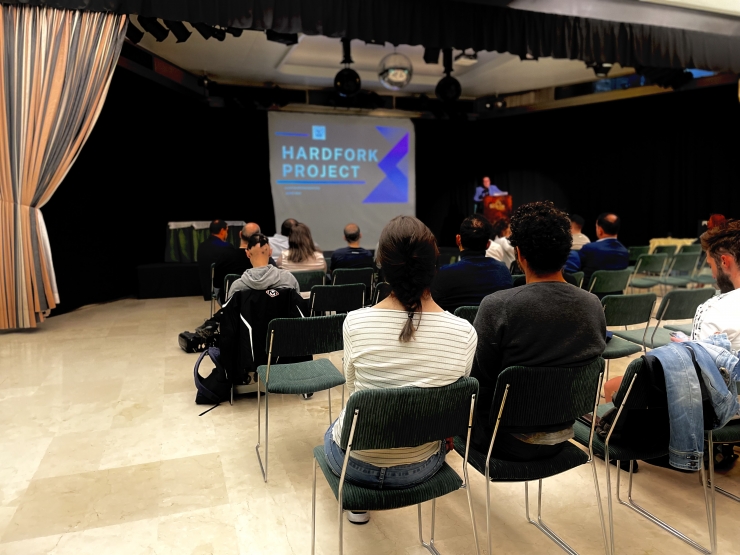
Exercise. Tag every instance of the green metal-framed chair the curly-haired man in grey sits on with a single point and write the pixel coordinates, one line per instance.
(538, 398)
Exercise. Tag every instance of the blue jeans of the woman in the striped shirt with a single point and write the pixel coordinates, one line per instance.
(371, 476)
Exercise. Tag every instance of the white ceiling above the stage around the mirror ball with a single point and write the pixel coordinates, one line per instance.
(312, 63)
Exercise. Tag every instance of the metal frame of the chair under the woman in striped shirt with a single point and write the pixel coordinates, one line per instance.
(429, 546)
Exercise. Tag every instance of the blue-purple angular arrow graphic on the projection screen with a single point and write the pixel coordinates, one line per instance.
(395, 186)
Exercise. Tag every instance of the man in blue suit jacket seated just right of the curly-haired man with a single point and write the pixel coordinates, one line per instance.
(605, 254)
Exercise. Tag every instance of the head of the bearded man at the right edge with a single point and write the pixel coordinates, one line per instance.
(722, 245)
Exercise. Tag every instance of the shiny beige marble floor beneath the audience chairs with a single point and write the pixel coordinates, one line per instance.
(102, 451)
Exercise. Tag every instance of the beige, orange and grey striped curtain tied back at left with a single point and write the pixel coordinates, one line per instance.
(56, 67)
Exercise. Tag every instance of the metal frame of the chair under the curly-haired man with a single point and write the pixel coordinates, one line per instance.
(539, 524)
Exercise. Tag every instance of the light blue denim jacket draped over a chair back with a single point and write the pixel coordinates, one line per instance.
(687, 424)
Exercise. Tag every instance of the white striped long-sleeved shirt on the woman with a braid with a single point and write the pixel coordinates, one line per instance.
(440, 352)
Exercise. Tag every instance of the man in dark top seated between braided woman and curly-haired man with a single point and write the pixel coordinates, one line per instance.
(466, 282)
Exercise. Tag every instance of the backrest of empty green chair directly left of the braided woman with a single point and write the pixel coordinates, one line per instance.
(297, 337)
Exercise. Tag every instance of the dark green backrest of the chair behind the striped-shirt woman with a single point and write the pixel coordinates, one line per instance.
(408, 416)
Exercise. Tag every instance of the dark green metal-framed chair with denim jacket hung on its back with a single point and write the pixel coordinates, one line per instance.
(643, 433)
